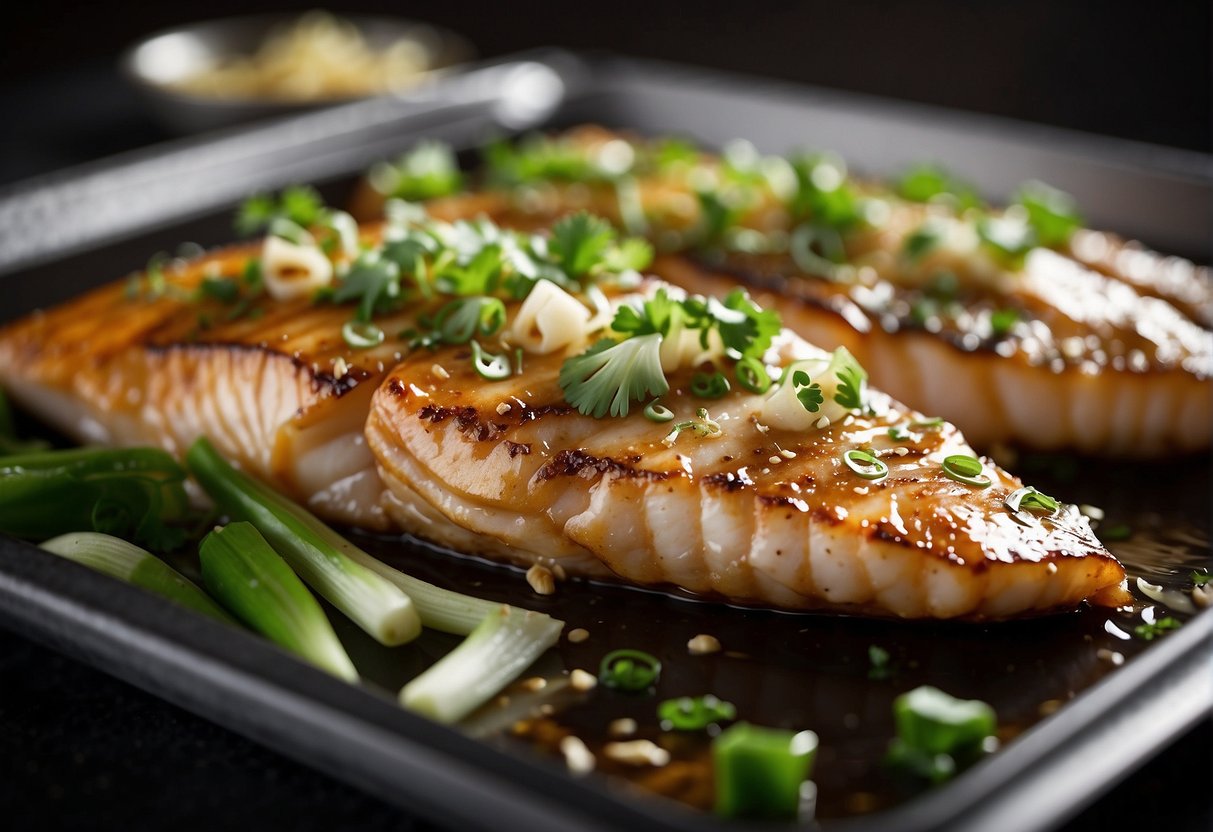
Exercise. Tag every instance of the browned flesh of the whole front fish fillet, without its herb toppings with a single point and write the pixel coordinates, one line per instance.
(417, 442)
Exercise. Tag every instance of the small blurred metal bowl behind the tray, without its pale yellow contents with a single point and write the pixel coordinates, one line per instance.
(158, 62)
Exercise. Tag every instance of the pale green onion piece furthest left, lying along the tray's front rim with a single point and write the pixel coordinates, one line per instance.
(129, 563)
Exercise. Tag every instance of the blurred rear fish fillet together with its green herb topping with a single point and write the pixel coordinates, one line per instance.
(1018, 324)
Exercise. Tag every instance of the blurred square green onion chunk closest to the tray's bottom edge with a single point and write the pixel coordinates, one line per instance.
(760, 771)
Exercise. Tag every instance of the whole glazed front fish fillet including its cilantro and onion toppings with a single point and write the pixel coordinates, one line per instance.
(532, 398)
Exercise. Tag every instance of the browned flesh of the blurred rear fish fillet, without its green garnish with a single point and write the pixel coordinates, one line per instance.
(1094, 345)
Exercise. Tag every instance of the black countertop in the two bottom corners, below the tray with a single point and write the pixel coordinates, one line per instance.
(81, 750)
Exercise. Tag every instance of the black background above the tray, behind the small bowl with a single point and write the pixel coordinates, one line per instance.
(1134, 70)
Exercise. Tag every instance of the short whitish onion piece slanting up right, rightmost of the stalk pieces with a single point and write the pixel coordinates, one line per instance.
(506, 643)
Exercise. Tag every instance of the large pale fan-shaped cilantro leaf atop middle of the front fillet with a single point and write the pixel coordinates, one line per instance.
(611, 375)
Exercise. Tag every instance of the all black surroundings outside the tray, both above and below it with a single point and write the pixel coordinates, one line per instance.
(82, 751)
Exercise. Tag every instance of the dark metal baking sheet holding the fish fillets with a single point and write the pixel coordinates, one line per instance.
(84, 227)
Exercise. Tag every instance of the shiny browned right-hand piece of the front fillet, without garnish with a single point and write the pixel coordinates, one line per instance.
(732, 516)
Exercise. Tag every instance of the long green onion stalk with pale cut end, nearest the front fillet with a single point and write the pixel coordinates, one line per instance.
(314, 551)
